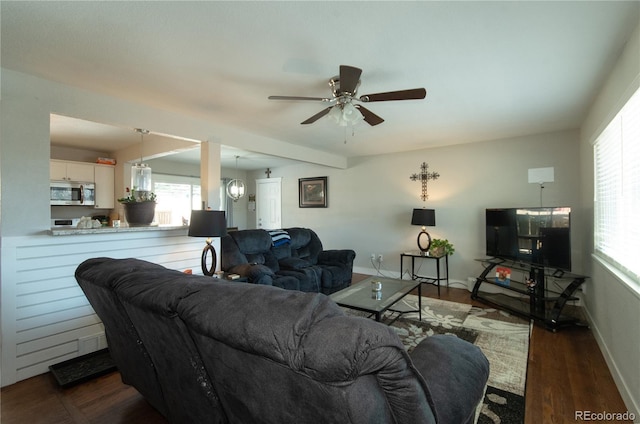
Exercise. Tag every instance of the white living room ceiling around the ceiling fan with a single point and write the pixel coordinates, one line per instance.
(491, 69)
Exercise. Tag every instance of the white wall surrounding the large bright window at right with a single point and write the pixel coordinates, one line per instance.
(612, 305)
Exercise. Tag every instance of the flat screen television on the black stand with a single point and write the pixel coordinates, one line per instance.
(540, 236)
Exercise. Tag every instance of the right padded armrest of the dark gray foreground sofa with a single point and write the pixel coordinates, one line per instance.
(456, 373)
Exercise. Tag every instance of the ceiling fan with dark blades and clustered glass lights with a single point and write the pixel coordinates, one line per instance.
(344, 88)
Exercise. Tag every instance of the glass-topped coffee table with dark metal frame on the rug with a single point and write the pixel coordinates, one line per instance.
(362, 296)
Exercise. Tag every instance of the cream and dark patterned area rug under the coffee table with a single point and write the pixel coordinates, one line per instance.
(503, 338)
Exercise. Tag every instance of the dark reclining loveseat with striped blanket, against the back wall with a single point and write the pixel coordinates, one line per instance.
(297, 262)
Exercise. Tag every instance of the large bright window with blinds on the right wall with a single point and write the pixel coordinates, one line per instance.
(617, 190)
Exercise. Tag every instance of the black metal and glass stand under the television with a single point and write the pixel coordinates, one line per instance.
(531, 297)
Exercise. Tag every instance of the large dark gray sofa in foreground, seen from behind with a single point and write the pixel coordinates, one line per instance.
(203, 350)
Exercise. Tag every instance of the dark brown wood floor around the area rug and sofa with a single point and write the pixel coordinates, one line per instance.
(566, 373)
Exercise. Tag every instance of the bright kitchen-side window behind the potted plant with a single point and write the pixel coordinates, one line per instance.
(176, 197)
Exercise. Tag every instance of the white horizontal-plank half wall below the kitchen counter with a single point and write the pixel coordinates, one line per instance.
(45, 317)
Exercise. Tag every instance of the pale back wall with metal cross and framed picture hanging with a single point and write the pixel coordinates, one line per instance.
(371, 202)
